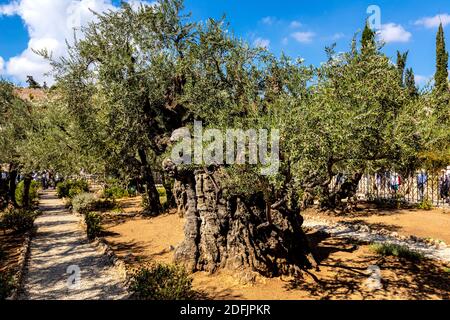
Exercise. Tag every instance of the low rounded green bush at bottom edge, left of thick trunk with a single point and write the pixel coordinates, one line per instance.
(161, 282)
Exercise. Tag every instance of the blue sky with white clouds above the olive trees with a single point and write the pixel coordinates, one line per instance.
(299, 28)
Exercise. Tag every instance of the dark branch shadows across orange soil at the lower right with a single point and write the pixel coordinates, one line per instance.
(344, 276)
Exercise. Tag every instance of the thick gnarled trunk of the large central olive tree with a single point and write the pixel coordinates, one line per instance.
(234, 233)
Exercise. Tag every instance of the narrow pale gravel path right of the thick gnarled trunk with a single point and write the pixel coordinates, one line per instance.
(435, 250)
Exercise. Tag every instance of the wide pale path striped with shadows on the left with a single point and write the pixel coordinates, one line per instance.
(59, 244)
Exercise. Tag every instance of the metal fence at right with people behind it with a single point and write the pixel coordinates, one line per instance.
(413, 189)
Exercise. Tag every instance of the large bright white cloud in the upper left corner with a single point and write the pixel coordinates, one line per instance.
(49, 23)
